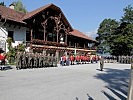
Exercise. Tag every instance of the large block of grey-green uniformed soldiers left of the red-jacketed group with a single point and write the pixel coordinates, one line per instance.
(35, 60)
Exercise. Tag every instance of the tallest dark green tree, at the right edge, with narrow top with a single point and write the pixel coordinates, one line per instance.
(123, 36)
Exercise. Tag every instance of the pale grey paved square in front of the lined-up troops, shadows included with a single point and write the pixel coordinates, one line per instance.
(77, 82)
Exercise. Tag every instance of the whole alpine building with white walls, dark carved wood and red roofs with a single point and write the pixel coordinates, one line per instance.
(43, 30)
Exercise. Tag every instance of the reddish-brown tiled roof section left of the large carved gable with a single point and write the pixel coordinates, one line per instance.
(11, 14)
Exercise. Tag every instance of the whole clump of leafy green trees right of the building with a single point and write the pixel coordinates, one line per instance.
(117, 37)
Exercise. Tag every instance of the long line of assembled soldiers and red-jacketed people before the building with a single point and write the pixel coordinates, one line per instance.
(38, 60)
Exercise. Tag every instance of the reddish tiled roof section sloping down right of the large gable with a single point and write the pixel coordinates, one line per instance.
(79, 34)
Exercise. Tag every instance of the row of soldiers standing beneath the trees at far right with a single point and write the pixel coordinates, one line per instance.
(125, 59)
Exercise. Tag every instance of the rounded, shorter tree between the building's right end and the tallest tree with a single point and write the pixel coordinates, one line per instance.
(105, 31)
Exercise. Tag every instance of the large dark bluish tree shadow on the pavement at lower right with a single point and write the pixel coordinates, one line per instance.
(117, 81)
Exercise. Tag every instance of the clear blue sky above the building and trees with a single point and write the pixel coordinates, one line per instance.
(84, 15)
